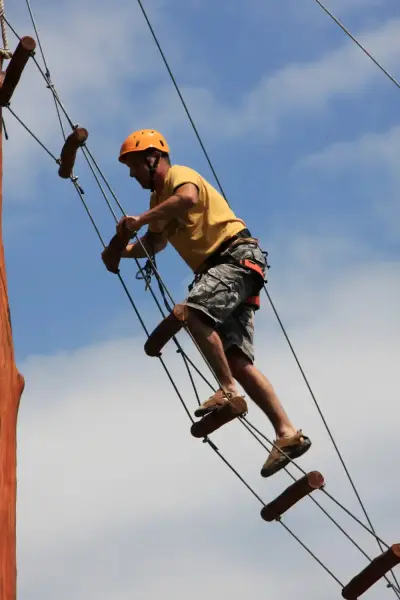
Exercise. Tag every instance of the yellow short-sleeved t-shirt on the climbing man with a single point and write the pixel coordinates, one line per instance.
(199, 232)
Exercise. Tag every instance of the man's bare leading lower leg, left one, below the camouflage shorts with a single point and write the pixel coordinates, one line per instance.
(211, 346)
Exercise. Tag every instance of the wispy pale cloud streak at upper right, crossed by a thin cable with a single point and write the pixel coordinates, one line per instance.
(311, 86)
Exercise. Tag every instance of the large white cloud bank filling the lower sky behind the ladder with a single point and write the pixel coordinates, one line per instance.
(113, 489)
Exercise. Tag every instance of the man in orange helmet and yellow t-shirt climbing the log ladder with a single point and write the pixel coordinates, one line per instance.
(229, 269)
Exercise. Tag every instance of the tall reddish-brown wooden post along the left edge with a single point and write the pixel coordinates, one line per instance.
(11, 387)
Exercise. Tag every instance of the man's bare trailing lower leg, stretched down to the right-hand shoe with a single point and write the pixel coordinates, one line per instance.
(260, 390)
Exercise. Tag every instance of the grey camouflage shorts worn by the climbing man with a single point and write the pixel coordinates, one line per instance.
(220, 293)
